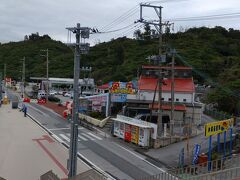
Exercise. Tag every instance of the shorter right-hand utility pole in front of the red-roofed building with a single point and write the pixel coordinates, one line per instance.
(172, 91)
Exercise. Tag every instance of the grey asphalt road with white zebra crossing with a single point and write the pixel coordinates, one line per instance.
(104, 152)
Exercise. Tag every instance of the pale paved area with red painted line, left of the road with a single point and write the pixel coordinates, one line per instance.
(27, 151)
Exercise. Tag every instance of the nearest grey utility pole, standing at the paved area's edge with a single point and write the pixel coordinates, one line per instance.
(82, 32)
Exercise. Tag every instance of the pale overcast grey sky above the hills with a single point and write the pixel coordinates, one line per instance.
(23, 17)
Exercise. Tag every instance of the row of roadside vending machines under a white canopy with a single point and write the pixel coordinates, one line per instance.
(134, 130)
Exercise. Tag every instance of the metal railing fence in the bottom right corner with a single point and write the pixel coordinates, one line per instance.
(221, 169)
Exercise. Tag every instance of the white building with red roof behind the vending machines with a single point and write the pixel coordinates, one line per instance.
(145, 101)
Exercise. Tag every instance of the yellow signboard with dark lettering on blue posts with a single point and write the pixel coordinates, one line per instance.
(218, 127)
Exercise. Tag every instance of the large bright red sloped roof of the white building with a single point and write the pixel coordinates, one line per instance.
(181, 84)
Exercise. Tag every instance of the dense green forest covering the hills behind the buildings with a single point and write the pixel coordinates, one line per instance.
(214, 54)
